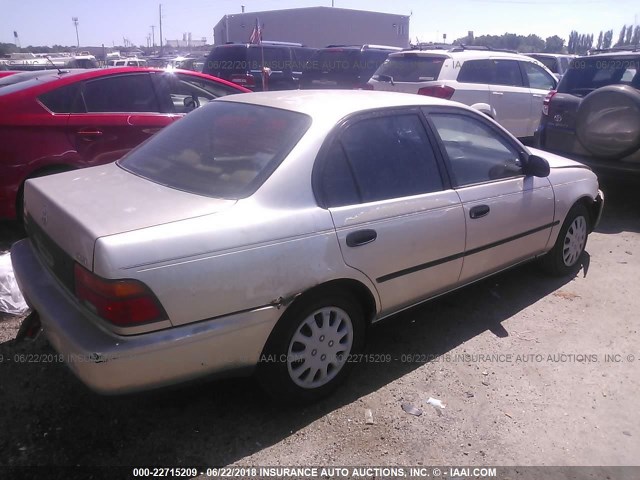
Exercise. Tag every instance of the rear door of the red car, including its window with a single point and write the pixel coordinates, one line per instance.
(112, 115)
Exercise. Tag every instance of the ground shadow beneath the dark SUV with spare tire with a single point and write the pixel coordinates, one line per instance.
(621, 205)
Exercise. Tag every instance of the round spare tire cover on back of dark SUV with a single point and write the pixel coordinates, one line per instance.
(608, 122)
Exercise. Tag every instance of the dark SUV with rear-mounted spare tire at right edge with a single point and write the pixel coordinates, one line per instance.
(594, 116)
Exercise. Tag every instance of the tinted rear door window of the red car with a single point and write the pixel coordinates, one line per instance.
(121, 93)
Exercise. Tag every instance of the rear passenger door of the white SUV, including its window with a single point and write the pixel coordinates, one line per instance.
(510, 99)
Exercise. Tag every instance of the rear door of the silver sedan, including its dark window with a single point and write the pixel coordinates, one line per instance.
(396, 218)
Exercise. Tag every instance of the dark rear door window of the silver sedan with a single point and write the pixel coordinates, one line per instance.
(380, 158)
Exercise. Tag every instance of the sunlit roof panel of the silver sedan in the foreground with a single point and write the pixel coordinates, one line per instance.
(333, 105)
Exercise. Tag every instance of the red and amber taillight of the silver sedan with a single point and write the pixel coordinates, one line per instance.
(122, 302)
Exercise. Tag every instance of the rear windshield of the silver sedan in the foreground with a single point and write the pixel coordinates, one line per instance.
(222, 150)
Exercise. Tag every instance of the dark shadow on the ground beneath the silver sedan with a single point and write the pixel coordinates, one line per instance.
(57, 421)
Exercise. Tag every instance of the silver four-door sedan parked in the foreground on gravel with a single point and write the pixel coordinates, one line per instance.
(264, 232)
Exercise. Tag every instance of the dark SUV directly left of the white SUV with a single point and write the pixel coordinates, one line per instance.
(344, 66)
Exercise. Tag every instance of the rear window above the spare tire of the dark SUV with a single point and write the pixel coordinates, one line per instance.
(590, 73)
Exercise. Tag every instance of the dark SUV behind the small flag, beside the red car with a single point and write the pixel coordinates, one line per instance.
(243, 64)
